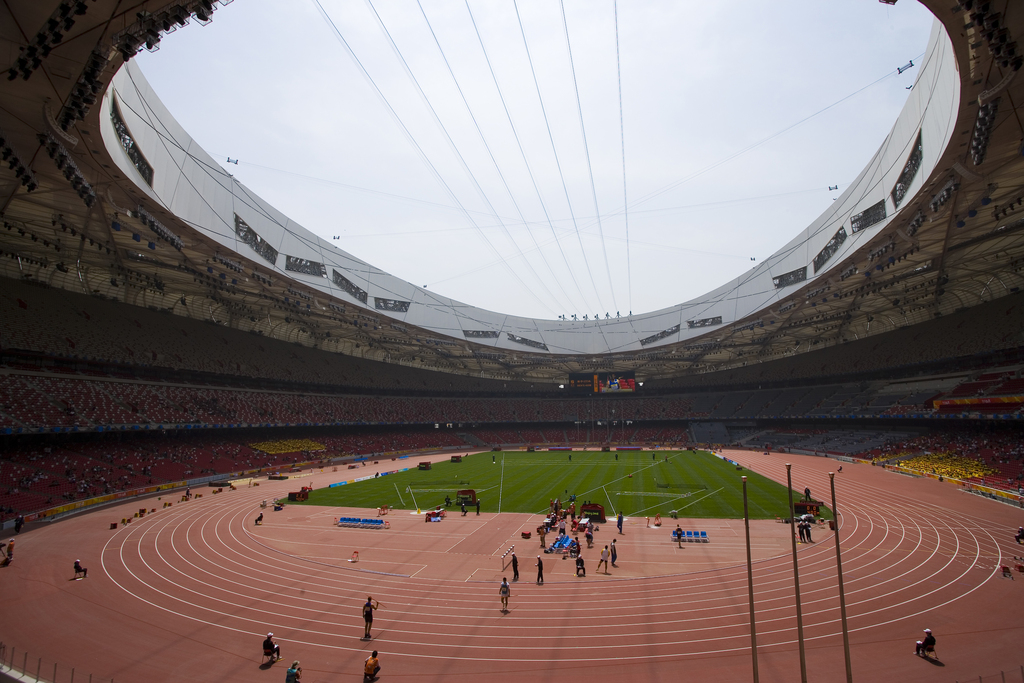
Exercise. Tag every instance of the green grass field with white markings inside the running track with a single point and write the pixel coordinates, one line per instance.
(696, 484)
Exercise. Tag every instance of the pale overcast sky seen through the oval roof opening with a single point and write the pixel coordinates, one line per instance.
(482, 149)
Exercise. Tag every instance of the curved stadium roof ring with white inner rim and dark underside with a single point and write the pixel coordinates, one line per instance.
(124, 205)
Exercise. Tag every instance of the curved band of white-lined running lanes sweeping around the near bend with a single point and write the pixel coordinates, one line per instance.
(239, 571)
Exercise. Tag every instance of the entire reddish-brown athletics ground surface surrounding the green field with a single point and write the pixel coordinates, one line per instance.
(190, 592)
